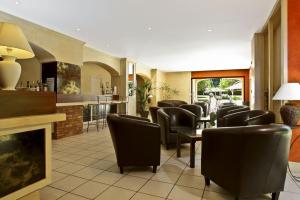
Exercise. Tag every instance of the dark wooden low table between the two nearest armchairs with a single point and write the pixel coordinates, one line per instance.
(193, 135)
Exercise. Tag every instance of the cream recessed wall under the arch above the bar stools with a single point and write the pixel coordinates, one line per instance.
(91, 77)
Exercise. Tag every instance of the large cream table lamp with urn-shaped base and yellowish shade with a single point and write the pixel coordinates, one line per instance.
(13, 45)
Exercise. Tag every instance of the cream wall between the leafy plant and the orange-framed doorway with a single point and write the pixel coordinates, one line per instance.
(180, 81)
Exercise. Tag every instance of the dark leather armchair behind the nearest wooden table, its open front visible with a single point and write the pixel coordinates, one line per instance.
(171, 118)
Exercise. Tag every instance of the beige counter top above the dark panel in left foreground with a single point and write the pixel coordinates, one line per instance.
(31, 120)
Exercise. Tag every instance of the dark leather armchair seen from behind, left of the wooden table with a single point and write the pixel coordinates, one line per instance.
(136, 141)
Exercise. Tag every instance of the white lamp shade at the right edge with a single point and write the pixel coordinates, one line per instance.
(288, 91)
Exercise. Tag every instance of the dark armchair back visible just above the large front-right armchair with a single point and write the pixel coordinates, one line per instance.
(249, 117)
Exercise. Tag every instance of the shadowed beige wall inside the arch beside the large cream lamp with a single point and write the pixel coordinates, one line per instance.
(31, 70)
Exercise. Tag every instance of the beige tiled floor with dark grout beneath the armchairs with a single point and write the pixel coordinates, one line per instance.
(84, 167)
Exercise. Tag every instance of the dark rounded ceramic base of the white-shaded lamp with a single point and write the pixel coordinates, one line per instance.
(290, 114)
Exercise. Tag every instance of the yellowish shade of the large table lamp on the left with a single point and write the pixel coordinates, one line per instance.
(13, 42)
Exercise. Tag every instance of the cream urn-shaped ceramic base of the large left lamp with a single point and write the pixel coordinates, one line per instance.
(10, 72)
